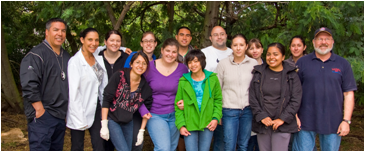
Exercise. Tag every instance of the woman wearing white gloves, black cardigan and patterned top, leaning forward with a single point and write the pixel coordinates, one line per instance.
(126, 92)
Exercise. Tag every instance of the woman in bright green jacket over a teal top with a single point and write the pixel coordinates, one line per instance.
(201, 92)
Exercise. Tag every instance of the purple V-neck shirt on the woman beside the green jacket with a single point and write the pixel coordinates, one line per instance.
(164, 88)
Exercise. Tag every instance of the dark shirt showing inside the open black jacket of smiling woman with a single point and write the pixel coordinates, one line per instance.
(271, 90)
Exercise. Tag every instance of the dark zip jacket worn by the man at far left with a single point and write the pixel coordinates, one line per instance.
(40, 77)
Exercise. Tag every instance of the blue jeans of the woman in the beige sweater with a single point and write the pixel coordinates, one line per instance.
(237, 124)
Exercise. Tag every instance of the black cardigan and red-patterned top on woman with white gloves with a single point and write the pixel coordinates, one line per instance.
(120, 101)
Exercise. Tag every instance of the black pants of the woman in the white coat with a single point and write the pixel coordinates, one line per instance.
(77, 136)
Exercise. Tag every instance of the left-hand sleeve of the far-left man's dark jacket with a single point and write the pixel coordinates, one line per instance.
(31, 69)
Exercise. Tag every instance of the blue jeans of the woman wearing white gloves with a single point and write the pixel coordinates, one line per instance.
(121, 135)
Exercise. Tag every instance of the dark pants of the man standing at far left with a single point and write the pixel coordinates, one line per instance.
(46, 133)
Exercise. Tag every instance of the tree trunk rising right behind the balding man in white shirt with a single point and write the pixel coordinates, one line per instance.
(211, 18)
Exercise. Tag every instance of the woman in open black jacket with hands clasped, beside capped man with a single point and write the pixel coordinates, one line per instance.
(275, 96)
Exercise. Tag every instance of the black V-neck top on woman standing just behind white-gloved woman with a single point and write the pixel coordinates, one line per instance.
(118, 64)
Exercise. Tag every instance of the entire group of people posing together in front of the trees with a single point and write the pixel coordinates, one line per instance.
(187, 97)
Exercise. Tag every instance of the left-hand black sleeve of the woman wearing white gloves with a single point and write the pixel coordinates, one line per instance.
(110, 89)
